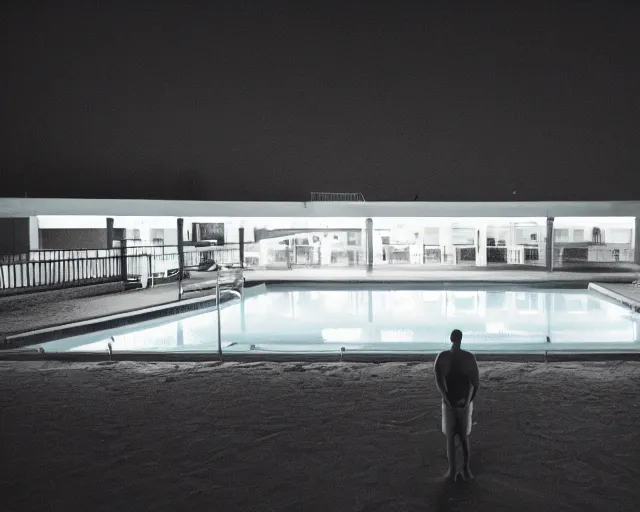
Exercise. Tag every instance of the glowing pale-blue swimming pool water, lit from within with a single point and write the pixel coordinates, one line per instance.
(379, 319)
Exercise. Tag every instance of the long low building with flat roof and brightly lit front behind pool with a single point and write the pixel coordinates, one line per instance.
(322, 234)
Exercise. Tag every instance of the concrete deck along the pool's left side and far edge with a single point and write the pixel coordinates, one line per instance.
(22, 316)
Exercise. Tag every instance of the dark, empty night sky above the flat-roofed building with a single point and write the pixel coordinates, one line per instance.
(268, 100)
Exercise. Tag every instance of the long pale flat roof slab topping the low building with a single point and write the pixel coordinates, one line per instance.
(28, 207)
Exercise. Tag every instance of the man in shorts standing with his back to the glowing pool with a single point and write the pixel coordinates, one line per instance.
(458, 380)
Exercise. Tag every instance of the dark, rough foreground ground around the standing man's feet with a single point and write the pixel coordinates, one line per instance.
(298, 437)
